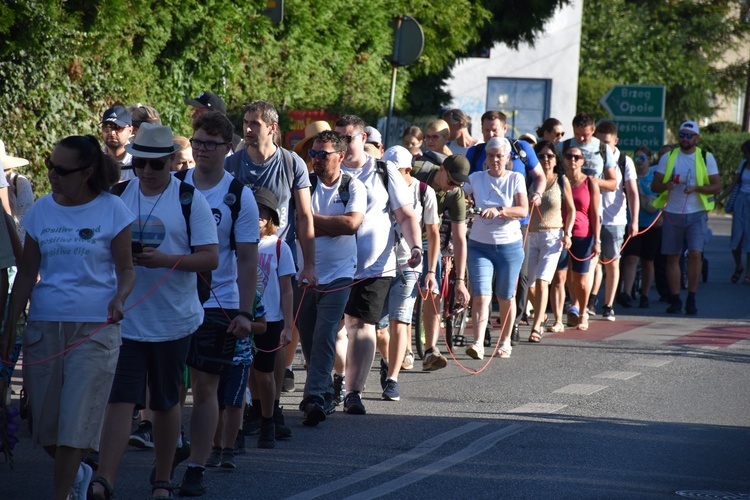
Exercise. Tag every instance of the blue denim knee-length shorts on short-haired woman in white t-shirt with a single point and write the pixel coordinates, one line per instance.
(504, 261)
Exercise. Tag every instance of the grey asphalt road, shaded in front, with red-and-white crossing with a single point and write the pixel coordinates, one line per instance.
(641, 408)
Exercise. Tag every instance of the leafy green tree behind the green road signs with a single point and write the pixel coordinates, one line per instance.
(675, 43)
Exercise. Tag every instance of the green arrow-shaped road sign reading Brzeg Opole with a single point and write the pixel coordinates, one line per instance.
(635, 101)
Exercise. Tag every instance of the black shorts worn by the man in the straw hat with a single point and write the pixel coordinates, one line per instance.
(160, 363)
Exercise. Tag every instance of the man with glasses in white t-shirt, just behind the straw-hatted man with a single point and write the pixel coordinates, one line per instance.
(233, 283)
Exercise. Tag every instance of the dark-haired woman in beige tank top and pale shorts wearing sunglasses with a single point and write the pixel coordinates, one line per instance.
(549, 234)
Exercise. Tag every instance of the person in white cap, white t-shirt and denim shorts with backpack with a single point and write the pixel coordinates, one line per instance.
(399, 305)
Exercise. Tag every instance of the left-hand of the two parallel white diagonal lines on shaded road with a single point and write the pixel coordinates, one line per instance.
(418, 451)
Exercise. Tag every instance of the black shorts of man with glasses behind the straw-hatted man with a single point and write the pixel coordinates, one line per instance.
(212, 348)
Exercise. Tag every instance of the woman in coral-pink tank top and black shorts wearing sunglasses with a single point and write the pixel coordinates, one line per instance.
(586, 240)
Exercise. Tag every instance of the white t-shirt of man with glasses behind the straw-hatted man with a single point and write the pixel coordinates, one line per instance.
(224, 278)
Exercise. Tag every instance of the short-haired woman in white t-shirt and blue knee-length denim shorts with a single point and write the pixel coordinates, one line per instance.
(495, 242)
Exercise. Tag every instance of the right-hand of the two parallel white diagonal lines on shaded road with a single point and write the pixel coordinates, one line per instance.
(481, 445)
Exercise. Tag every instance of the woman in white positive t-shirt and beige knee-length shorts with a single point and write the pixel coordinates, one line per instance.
(78, 241)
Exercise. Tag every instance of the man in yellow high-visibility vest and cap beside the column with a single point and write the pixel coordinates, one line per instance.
(692, 182)
